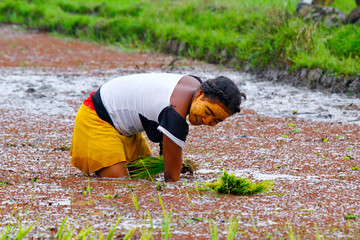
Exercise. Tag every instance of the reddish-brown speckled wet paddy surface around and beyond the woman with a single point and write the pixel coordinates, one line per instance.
(313, 164)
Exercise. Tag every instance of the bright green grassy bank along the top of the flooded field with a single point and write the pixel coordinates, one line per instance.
(253, 33)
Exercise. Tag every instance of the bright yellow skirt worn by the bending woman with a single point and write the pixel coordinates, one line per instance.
(96, 144)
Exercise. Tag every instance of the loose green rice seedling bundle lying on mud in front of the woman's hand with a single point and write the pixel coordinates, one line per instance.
(230, 184)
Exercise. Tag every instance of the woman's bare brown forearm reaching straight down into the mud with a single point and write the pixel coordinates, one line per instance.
(172, 160)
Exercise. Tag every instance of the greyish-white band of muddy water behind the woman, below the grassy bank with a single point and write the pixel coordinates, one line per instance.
(50, 94)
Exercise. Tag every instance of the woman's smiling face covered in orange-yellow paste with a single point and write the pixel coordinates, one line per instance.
(206, 111)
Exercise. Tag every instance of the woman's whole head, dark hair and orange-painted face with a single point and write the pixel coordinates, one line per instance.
(216, 100)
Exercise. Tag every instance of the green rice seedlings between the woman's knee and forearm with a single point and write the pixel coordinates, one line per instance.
(146, 167)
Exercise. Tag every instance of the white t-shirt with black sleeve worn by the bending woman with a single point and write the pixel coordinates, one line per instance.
(126, 98)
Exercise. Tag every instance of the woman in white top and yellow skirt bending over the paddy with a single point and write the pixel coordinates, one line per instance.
(108, 125)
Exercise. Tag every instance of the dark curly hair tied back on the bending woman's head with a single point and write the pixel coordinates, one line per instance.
(225, 91)
